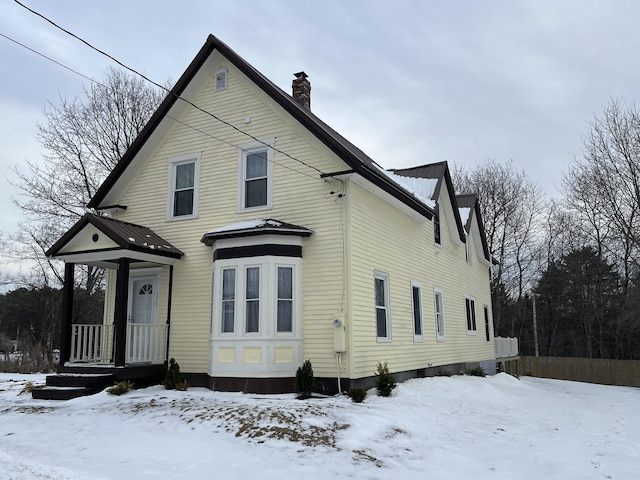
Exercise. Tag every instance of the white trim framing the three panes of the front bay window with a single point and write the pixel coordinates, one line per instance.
(268, 298)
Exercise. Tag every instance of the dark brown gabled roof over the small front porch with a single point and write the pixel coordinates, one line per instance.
(126, 236)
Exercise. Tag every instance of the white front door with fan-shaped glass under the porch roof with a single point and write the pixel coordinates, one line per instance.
(141, 326)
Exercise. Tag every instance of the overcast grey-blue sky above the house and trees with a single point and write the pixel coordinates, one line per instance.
(409, 82)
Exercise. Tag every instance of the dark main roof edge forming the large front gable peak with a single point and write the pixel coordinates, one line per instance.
(357, 160)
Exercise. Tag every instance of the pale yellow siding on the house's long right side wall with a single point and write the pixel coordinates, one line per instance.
(377, 244)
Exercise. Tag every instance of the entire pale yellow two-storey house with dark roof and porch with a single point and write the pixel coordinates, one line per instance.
(243, 235)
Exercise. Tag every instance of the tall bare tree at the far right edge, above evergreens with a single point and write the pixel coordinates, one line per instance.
(603, 187)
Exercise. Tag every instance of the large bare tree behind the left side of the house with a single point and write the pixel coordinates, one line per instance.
(84, 138)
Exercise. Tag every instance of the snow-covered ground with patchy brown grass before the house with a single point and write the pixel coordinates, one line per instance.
(438, 428)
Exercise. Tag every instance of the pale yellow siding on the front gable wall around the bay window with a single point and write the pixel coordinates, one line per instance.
(298, 197)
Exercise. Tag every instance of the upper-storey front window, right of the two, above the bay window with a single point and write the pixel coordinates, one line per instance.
(256, 176)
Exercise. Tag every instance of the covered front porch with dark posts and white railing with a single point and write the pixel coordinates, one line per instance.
(131, 342)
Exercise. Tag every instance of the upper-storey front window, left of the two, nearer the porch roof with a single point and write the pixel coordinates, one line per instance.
(183, 187)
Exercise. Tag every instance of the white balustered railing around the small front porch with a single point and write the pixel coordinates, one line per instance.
(91, 343)
